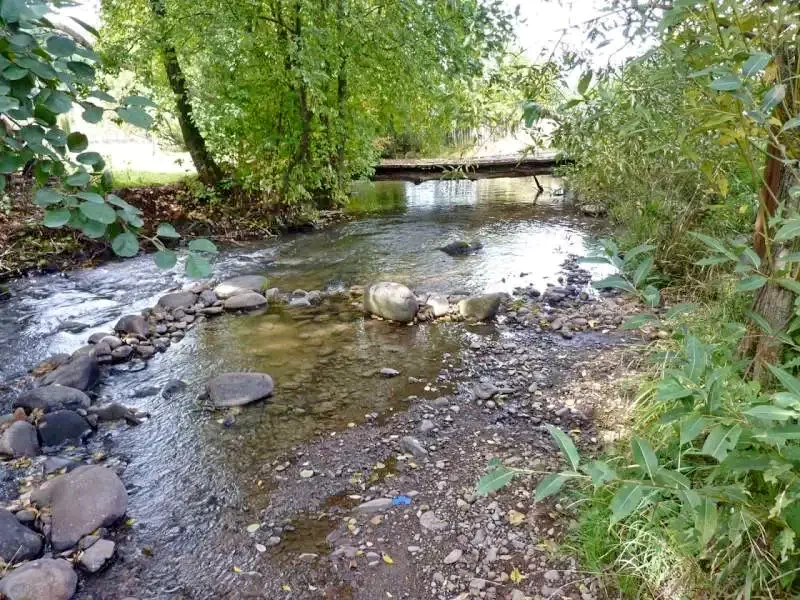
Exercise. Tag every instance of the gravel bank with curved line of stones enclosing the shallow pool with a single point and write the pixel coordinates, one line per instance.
(388, 508)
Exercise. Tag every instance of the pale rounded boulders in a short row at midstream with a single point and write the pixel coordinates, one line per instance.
(396, 302)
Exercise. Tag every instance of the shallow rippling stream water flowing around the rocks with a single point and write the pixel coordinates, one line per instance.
(195, 484)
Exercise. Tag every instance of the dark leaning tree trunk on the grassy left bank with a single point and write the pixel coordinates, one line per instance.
(207, 169)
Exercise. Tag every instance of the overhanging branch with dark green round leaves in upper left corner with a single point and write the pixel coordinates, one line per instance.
(45, 73)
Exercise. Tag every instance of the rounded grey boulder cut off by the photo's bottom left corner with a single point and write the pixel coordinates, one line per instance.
(43, 579)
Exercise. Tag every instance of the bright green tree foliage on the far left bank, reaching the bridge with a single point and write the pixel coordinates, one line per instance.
(295, 98)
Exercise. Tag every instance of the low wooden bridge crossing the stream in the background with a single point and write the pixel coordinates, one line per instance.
(468, 168)
